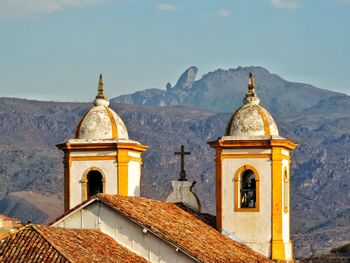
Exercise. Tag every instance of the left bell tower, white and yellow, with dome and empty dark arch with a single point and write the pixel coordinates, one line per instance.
(101, 158)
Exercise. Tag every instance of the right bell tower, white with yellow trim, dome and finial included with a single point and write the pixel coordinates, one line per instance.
(252, 180)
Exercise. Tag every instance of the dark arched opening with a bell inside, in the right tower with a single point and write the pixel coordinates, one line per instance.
(248, 189)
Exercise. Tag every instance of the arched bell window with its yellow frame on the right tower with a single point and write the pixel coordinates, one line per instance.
(247, 189)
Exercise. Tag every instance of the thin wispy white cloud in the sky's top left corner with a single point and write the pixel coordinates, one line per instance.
(30, 9)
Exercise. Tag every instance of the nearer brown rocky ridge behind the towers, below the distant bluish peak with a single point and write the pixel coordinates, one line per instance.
(320, 183)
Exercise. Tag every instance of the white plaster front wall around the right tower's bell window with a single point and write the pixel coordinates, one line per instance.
(253, 228)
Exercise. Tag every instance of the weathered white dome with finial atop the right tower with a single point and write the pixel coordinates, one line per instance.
(251, 120)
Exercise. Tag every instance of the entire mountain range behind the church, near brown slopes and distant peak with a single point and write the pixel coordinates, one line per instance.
(191, 113)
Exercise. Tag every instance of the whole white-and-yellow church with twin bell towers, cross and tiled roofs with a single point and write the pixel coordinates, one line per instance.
(102, 171)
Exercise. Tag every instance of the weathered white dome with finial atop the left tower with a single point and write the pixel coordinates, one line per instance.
(101, 122)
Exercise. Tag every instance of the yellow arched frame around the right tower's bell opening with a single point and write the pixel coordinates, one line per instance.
(237, 179)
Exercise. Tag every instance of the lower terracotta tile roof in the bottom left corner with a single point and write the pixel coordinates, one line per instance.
(49, 244)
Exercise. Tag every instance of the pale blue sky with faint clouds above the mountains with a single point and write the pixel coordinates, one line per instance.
(55, 49)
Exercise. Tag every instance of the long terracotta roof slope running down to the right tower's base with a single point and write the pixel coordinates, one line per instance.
(182, 229)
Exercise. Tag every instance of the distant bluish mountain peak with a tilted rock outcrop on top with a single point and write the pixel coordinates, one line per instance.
(221, 90)
